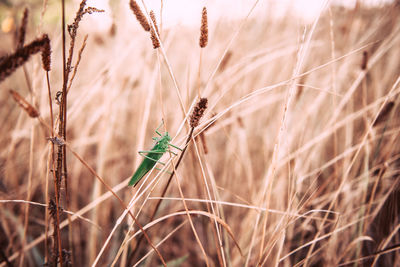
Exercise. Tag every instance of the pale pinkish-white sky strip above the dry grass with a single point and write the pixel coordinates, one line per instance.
(188, 12)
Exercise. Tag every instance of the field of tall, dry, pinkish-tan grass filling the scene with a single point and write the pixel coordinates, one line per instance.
(294, 163)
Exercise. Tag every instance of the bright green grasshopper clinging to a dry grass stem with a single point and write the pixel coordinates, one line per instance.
(152, 156)
